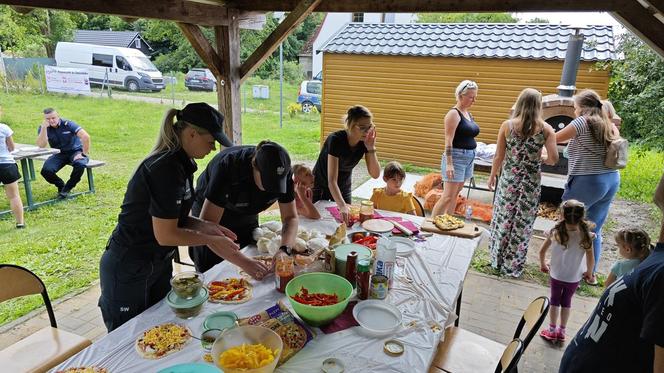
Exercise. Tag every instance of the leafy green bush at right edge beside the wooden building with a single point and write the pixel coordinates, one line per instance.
(637, 92)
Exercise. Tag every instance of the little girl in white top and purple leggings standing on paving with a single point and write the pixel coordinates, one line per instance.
(570, 241)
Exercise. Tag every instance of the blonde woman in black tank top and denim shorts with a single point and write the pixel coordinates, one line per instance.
(460, 133)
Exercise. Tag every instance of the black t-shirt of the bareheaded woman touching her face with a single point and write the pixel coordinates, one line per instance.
(337, 145)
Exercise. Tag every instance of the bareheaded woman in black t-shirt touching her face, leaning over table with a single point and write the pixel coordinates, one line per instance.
(341, 152)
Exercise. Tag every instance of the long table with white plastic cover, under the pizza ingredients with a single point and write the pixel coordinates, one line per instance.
(426, 287)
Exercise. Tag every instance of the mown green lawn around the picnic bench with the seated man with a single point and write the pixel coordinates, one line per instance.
(63, 242)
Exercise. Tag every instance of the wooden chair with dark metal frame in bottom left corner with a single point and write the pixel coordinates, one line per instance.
(45, 348)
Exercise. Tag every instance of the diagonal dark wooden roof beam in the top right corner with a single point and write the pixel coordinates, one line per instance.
(644, 25)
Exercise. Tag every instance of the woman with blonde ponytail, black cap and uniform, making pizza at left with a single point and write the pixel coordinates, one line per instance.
(154, 220)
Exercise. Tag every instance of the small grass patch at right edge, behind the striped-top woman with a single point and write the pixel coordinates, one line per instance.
(639, 179)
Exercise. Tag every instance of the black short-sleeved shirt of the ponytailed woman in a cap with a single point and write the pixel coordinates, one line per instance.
(161, 187)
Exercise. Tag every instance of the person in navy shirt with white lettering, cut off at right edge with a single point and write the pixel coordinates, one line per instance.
(625, 332)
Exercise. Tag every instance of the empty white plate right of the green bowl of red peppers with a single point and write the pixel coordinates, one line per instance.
(377, 318)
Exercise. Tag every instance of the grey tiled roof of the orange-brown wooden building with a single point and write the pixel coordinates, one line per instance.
(510, 40)
